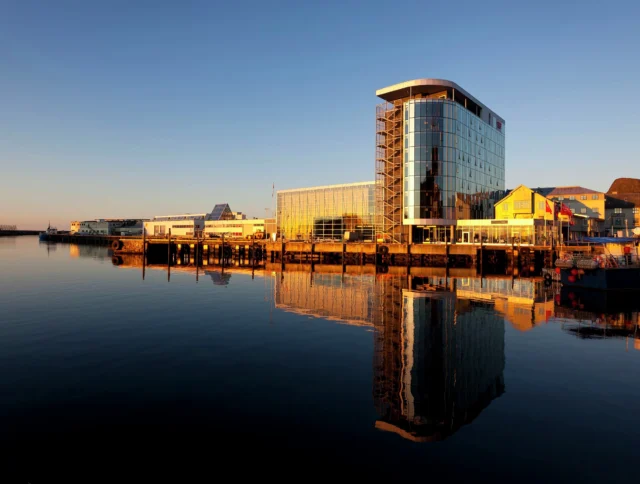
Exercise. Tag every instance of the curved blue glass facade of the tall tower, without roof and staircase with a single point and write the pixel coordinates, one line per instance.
(453, 162)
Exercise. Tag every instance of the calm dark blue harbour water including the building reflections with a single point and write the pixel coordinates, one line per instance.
(299, 375)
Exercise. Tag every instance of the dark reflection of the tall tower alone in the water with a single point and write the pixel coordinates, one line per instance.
(438, 367)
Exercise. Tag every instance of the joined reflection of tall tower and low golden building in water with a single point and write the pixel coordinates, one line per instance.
(438, 353)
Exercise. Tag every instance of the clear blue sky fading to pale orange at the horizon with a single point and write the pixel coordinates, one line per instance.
(132, 109)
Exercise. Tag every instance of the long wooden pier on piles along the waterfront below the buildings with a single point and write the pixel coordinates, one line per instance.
(513, 259)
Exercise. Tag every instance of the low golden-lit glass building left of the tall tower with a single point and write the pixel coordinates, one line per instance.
(326, 213)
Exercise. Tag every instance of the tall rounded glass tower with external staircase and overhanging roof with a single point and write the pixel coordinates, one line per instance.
(440, 157)
